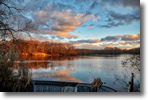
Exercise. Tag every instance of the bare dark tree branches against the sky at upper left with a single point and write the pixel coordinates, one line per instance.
(12, 19)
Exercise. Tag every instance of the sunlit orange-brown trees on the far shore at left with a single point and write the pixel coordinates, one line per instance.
(32, 47)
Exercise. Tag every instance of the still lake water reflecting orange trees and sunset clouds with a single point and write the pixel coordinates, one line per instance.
(81, 69)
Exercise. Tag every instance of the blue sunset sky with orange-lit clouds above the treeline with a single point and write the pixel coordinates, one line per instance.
(88, 24)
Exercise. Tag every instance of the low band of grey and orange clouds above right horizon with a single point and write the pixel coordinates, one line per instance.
(120, 41)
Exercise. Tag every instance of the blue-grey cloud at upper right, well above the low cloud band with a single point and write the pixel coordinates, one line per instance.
(116, 19)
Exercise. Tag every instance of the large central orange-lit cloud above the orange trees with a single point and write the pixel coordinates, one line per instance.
(61, 22)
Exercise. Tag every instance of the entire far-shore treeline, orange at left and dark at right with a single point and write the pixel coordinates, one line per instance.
(61, 49)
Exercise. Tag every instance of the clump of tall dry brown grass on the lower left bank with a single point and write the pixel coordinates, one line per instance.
(9, 82)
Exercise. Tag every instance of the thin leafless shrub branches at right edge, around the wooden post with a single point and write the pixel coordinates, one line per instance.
(132, 63)
